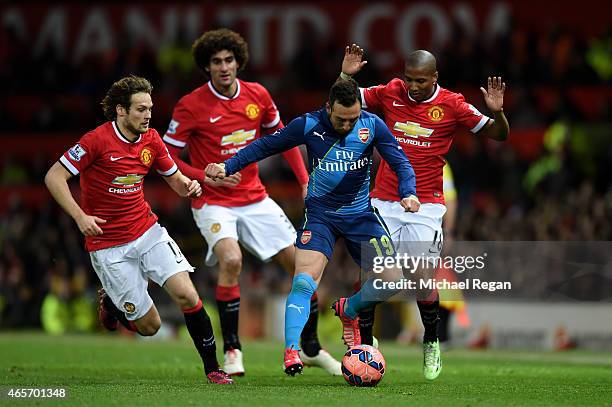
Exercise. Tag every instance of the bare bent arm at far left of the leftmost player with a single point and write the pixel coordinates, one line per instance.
(56, 181)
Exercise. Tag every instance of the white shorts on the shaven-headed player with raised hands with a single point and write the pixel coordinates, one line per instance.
(414, 233)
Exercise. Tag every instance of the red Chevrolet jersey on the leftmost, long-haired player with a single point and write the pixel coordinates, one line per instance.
(112, 169)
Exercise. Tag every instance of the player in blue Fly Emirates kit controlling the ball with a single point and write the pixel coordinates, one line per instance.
(340, 141)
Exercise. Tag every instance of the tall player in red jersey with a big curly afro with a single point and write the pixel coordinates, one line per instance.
(214, 122)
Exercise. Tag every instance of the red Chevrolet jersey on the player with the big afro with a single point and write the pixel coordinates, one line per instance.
(215, 127)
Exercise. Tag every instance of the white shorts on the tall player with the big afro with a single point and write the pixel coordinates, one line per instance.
(262, 228)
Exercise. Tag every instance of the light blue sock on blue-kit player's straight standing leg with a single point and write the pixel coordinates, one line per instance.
(297, 308)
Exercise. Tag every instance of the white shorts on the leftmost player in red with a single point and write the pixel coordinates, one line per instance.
(125, 270)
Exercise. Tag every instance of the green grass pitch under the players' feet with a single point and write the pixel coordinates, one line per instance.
(114, 370)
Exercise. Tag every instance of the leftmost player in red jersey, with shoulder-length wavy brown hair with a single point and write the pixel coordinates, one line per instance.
(126, 244)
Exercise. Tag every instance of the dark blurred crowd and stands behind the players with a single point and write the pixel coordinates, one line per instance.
(550, 181)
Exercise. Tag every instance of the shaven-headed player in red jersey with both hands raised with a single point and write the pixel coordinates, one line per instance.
(423, 117)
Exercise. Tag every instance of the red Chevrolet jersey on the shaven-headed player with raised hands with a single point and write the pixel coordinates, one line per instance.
(424, 130)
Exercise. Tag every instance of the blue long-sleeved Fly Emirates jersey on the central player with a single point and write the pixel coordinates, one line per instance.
(339, 166)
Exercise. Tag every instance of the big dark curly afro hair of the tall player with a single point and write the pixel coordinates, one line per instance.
(214, 41)
